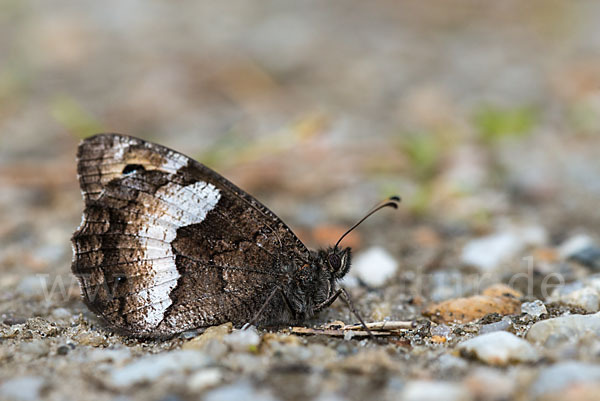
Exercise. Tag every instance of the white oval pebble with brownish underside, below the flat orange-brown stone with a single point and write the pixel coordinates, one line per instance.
(499, 348)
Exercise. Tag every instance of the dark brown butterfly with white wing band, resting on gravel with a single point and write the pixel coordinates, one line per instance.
(167, 245)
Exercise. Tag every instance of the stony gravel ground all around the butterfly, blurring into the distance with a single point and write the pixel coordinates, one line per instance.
(485, 118)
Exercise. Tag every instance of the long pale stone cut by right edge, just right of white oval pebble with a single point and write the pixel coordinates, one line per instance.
(564, 328)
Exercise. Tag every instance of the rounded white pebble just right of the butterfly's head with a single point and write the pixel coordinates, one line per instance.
(374, 266)
